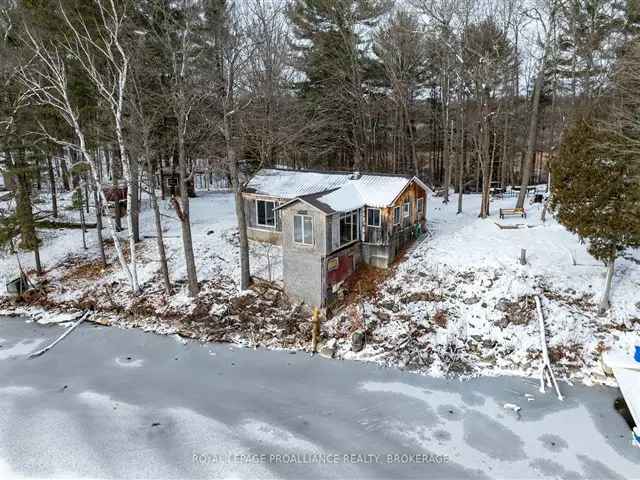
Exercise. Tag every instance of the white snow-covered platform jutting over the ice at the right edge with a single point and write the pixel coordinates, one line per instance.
(627, 372)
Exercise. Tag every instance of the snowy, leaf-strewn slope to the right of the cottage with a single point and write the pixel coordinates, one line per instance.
(465, 302)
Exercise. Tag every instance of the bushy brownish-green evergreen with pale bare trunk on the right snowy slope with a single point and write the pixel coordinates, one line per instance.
(597, 196)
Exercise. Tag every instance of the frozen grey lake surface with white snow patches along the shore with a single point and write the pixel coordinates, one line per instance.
(110, 403)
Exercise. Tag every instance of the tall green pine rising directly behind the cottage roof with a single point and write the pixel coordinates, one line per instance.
(333, 54)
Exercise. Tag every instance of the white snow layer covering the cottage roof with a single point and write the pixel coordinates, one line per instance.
(343, 192)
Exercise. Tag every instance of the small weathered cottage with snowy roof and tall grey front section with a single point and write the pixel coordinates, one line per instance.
(330, 223)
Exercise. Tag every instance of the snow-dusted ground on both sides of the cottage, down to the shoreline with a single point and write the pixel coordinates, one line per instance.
(460, 302)
